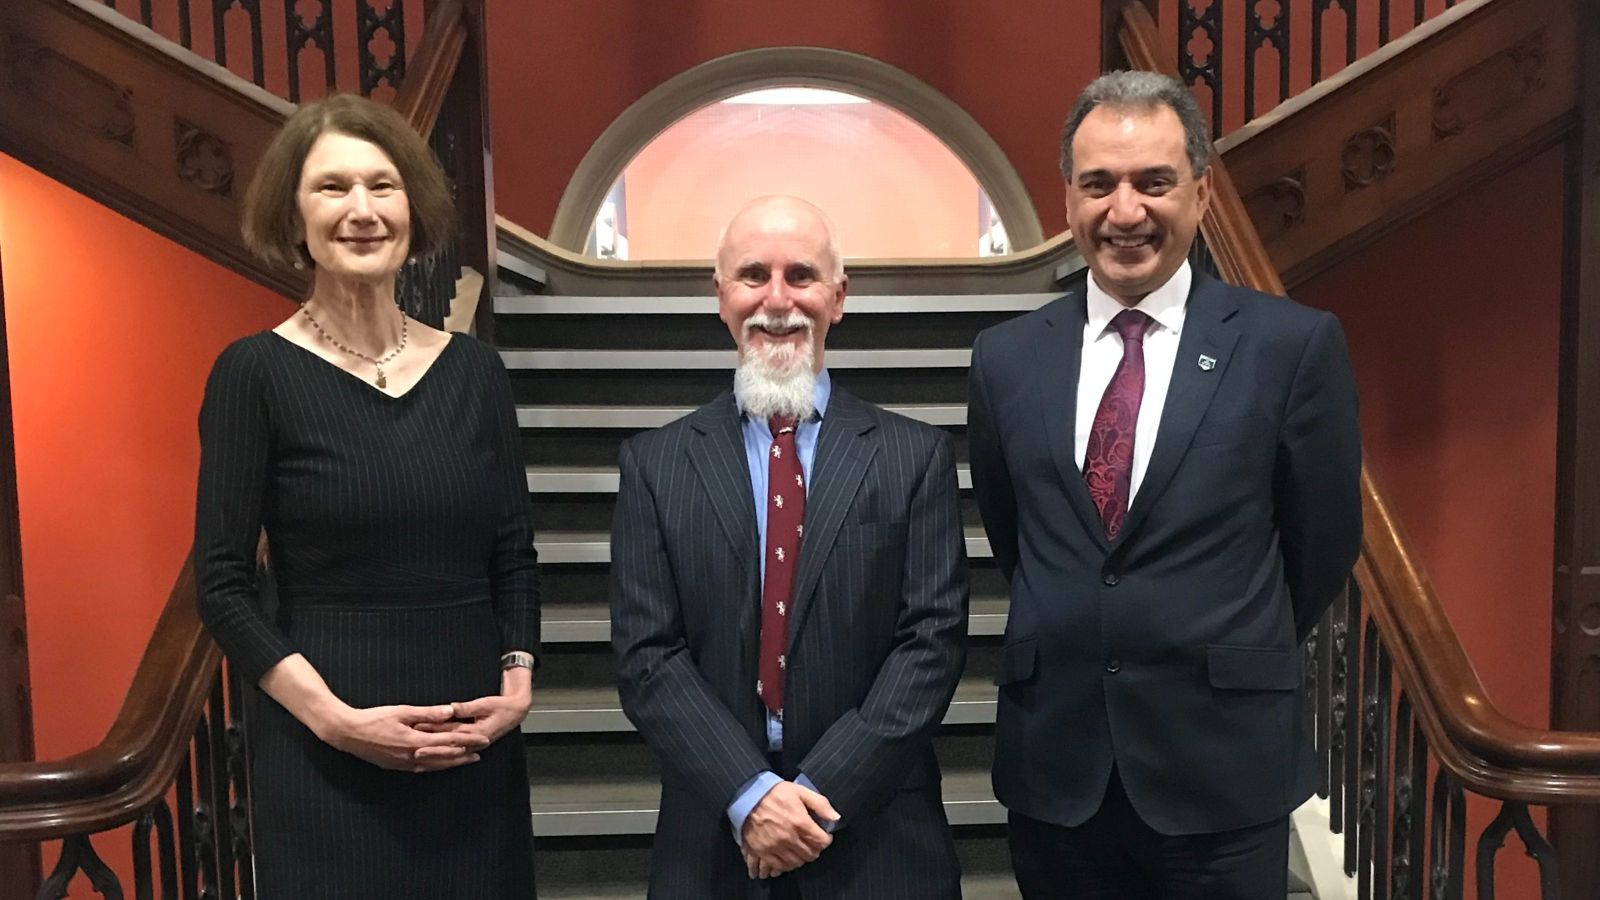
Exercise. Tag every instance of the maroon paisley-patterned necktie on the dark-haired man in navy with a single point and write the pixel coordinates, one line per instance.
(1108, 464)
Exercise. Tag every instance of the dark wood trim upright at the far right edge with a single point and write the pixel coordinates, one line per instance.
(1575, 662)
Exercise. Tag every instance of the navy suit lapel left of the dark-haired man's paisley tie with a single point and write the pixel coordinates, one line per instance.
(1060, 356)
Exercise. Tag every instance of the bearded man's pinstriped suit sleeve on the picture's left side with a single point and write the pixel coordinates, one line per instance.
(663, 693)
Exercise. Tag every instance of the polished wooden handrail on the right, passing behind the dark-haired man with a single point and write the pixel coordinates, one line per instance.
(1474, 741)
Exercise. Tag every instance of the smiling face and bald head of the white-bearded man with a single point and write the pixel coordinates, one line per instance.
(778, 283)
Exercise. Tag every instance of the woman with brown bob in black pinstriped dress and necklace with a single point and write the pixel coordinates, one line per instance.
(382, 459)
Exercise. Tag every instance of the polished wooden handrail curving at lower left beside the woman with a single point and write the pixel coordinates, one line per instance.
(113, 782)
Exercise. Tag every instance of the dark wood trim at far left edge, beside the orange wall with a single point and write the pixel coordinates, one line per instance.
(20, 870)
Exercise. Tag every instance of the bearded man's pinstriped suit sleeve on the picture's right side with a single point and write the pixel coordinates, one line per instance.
(863, 757)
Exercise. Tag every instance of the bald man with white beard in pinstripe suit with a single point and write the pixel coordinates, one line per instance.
(790, 605)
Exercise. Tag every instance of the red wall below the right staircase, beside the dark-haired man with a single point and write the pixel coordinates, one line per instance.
(1454, 326)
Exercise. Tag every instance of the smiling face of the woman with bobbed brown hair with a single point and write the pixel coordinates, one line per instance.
(354, 211)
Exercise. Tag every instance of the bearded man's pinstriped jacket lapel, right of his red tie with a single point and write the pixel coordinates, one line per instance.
(842, 457)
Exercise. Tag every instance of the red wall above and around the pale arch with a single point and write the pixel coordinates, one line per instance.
(1014, 68)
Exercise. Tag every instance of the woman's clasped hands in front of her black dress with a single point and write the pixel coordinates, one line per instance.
(402, 737)
